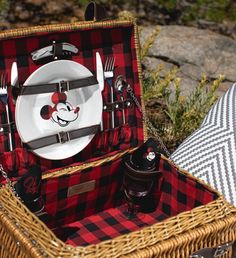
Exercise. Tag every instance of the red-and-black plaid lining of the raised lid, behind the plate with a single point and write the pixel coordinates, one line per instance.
(117, 42)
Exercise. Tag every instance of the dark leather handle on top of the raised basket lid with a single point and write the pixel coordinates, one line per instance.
(94, 12)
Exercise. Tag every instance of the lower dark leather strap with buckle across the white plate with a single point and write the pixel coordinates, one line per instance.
(61, 137)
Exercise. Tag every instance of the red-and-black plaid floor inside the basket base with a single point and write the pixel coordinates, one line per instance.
(106, 225)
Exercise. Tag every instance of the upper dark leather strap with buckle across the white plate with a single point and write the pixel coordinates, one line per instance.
(58, 87)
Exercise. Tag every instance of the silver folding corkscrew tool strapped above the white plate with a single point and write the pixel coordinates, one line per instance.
(48, 51)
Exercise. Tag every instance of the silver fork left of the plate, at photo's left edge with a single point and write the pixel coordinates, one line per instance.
(4, 99)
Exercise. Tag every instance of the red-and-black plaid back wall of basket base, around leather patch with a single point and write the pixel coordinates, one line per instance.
(106, 193)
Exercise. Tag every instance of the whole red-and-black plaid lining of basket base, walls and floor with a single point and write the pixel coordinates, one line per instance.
(93, 217)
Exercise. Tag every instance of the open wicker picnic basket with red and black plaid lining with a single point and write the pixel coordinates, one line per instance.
(187, 221)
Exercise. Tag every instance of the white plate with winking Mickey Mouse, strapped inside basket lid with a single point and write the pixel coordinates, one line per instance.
(31, 123)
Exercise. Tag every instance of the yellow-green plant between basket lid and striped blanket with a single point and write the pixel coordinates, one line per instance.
(174, 115)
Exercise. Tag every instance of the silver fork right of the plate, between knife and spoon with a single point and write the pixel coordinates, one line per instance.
(108, 75)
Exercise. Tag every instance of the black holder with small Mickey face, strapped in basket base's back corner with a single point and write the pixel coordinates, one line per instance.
(142, 179)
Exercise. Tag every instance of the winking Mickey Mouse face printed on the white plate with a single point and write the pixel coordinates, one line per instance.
(62, 112)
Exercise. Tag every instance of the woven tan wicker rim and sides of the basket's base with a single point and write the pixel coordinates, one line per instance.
(207, 225)
